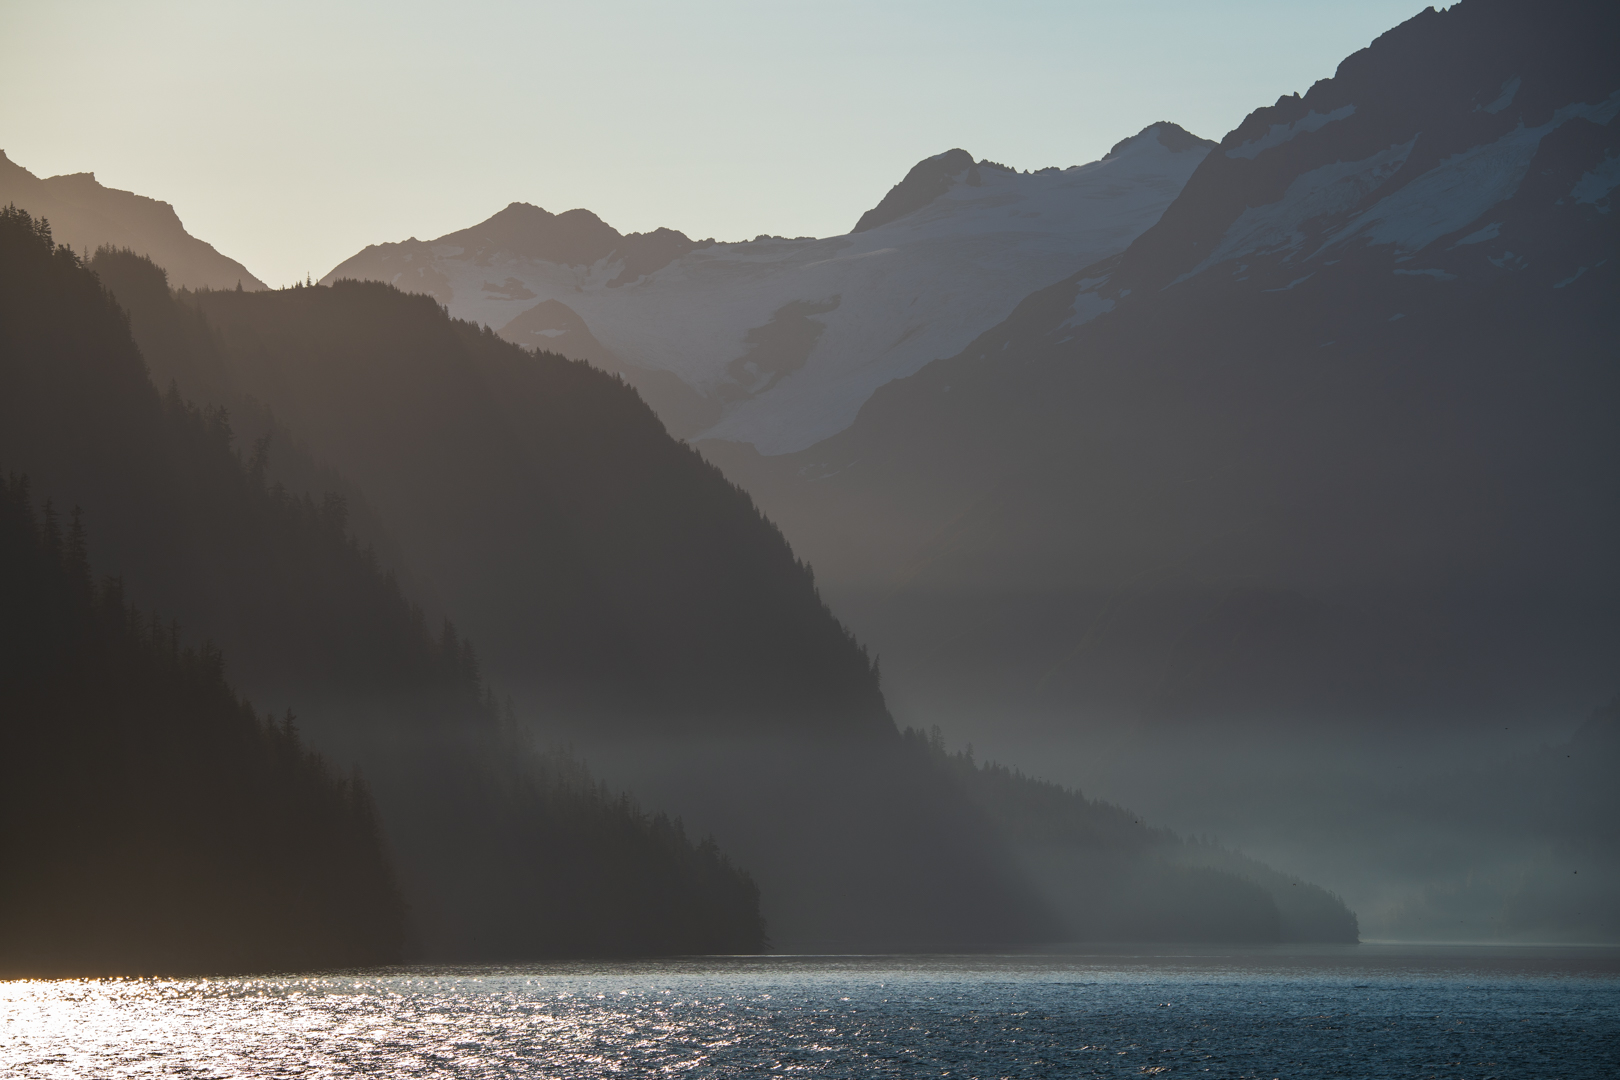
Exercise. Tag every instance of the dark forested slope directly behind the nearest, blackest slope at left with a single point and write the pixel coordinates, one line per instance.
(498, 857)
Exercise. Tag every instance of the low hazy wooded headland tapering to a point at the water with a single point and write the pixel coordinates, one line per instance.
(1111, 877)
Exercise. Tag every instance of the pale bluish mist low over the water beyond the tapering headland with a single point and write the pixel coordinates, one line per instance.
(1430, 836)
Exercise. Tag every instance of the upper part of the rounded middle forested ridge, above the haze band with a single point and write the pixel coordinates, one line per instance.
(552, 512)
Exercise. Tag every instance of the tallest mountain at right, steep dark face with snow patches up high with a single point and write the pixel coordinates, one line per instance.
(1316, 477)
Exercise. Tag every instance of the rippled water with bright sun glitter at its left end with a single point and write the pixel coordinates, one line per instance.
(1358, 1013)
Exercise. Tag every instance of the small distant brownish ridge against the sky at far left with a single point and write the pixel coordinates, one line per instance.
(87, 216)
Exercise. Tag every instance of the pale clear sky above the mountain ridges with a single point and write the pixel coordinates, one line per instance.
(294, 134)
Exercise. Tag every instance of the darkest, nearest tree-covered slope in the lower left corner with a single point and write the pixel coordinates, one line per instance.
(153, 822)
